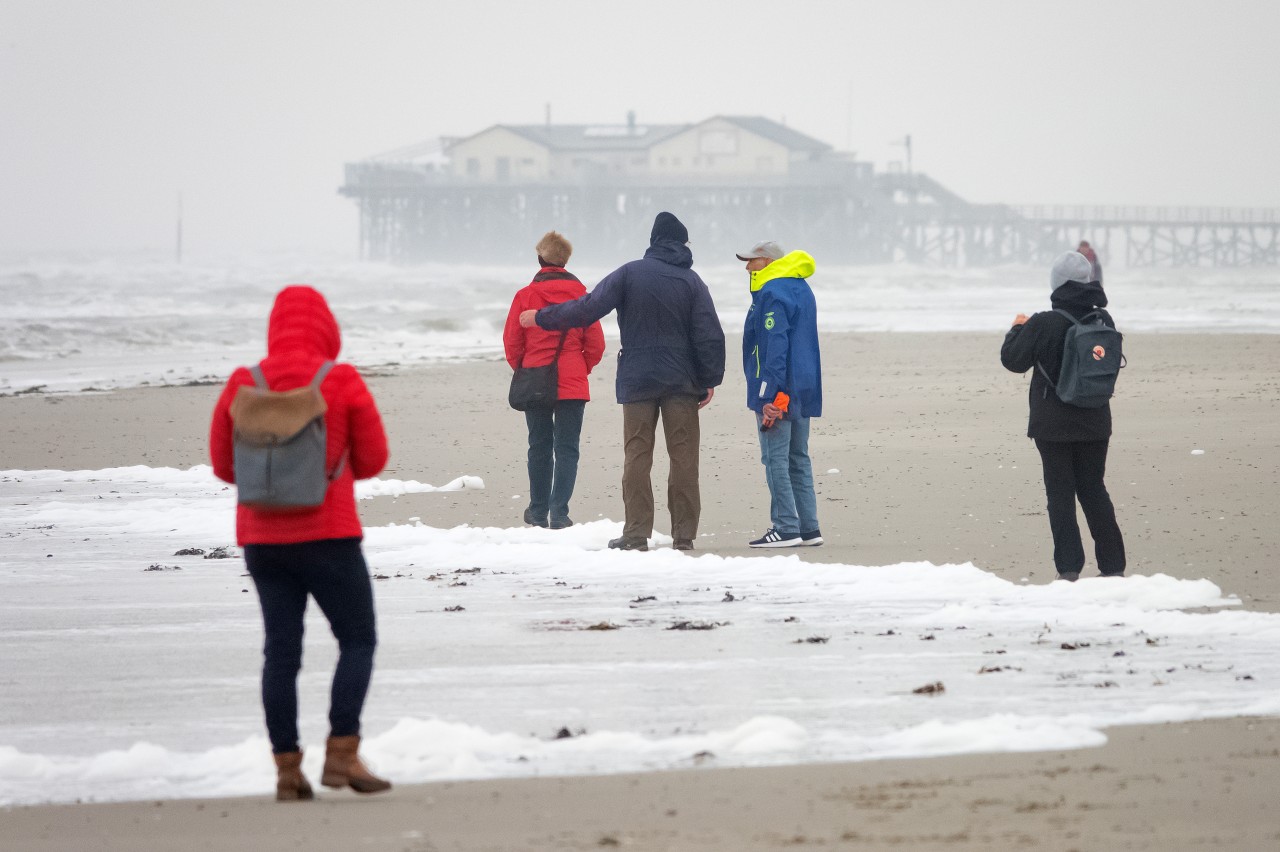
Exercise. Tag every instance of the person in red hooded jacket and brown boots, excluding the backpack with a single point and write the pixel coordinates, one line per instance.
(316, 552)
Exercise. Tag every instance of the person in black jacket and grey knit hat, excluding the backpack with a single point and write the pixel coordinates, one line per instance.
(1072, 442)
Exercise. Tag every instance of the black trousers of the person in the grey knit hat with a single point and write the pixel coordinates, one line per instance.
(1075, 471)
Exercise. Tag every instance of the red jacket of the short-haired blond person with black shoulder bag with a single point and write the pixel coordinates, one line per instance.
(536, 347)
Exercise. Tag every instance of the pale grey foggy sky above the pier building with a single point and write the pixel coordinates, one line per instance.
(108, 108)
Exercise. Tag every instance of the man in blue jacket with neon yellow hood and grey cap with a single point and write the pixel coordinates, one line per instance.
(784, 387)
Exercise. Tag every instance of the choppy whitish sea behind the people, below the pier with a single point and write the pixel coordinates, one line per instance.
(76, 324)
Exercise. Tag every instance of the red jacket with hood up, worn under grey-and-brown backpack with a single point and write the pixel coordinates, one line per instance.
(301, 336)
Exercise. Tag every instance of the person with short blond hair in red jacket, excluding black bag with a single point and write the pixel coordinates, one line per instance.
(554, 433)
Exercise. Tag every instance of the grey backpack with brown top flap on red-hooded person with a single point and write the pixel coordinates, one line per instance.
(280, 445)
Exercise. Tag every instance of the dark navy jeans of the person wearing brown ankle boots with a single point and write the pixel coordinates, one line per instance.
(333, 572)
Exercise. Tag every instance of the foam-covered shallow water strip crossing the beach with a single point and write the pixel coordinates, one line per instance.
(131, 672)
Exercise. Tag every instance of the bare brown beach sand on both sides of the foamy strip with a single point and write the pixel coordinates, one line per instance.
(925, 434)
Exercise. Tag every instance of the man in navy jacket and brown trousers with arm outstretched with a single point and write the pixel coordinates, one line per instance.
(671, 361)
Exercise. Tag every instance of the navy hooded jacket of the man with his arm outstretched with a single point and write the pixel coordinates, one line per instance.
(673, 342)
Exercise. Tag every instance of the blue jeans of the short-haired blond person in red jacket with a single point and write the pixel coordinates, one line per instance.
(554, 436)
